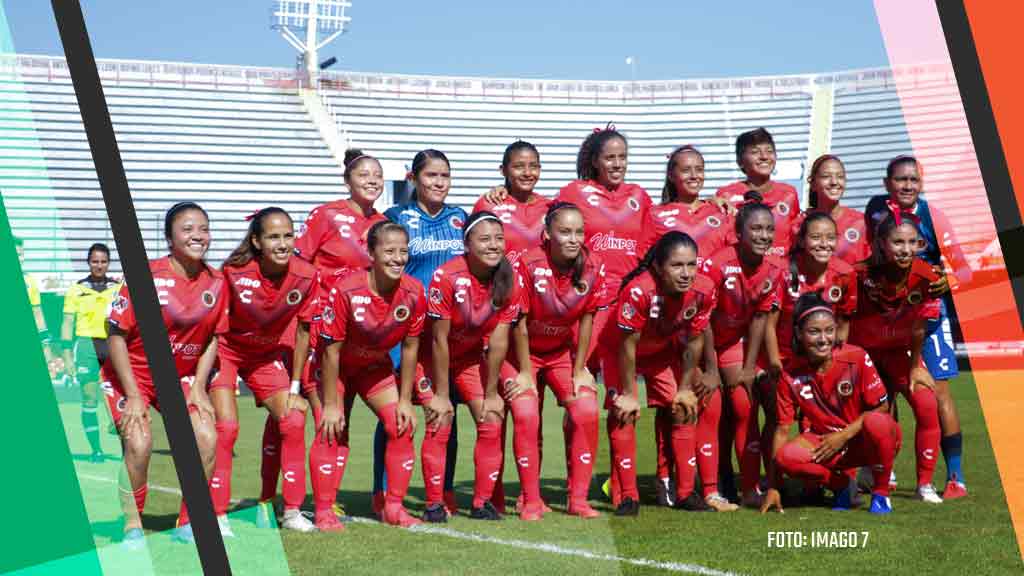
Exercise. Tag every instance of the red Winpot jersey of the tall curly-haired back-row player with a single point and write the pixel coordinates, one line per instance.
(614, 223)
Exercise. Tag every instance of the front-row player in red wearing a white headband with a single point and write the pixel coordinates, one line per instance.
(473, 305)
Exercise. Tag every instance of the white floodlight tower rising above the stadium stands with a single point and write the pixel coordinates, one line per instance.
(316, 19)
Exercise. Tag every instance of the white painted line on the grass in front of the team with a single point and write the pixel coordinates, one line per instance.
(522, 545)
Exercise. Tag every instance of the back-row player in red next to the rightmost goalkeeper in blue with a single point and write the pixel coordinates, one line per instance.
(828, 183)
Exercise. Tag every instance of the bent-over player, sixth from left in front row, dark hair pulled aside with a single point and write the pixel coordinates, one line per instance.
(663, 312)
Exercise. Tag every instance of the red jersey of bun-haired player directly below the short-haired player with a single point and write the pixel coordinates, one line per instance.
(742, 294)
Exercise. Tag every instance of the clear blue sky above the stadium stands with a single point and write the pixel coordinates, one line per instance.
(579, 39)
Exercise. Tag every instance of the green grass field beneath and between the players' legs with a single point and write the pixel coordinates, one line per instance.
(973, 536)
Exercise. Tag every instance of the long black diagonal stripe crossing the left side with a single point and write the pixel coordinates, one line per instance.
(110, 173)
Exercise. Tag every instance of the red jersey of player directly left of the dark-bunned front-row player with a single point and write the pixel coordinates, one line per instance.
(663, 322)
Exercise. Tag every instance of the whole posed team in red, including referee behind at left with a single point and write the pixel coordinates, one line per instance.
(770, 341)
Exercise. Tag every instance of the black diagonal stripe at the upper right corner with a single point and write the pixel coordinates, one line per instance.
(988, 146)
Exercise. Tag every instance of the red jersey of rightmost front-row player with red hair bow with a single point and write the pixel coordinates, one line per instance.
(886, 314)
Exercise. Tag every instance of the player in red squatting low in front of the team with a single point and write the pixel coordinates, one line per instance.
(838, 392)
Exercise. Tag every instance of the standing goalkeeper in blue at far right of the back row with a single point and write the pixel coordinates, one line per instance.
(905, 184)
